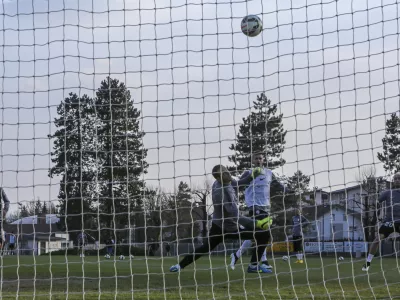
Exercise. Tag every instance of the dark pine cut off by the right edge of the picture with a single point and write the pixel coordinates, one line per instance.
(390, 156)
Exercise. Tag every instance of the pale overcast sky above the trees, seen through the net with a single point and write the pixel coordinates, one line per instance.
(332, 68)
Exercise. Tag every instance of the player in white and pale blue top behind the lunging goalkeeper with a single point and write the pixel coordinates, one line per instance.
(257, 198)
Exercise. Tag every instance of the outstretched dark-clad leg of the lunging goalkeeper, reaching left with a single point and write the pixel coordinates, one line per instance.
(214, 238)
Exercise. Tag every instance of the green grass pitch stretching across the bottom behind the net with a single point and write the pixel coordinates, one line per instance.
(141, 279)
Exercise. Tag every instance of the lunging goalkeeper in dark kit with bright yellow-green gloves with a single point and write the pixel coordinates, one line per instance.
(226, 222)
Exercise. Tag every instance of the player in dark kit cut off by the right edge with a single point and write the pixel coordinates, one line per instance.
(390, 200)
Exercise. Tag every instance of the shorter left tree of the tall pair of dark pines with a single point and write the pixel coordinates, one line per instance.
(74, 148)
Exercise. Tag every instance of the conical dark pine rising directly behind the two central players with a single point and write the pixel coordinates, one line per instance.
(261, 132)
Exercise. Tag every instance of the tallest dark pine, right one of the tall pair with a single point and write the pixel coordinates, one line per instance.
(120, 152)
